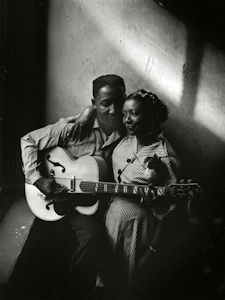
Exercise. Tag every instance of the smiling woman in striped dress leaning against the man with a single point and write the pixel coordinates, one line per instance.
(145, 157)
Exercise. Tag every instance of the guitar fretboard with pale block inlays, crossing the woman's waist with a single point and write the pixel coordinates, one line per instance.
(113, 188)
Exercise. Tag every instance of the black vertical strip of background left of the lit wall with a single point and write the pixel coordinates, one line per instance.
(22, 85)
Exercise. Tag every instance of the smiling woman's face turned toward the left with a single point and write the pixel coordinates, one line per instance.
(135, 118)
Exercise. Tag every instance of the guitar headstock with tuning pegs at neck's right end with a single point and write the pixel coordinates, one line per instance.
(184, 189)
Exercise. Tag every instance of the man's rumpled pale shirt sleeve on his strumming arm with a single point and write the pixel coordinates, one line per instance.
(42, 139)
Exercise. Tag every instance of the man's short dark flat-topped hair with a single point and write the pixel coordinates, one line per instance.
(111, 80)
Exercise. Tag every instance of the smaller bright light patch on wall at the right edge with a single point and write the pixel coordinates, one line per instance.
(209, 108)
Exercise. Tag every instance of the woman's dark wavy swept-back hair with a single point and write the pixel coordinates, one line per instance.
(152, 105)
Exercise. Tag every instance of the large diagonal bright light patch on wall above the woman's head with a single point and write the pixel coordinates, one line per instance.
(139, 47)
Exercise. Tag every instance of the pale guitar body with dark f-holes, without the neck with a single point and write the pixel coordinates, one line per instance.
(67, 171)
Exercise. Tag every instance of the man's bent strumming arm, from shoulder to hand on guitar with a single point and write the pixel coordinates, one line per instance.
(48, 137)
